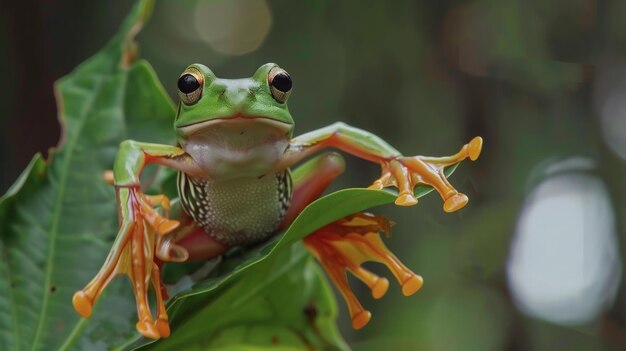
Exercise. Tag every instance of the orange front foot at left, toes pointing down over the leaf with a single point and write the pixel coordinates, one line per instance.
(140, 234)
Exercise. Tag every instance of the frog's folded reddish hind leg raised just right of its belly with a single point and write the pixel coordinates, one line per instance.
(310, 180)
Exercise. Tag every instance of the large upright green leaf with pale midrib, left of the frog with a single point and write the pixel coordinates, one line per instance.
(58, 220)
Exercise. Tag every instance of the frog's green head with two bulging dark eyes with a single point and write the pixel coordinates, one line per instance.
(256, 104)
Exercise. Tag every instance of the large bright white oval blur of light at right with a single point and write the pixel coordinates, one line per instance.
(564, 266)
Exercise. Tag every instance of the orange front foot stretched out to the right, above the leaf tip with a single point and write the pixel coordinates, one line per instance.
(406, 172)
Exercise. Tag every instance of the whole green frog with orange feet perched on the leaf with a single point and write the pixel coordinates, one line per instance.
(234, 154)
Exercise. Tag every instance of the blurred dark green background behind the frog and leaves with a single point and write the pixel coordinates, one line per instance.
(534, 262)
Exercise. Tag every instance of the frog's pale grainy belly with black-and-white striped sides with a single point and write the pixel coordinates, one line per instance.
(236, 212)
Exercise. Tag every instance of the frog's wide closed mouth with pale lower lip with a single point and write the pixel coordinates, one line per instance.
(236, 122)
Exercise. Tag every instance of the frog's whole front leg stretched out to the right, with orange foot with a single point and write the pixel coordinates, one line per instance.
(397, 170)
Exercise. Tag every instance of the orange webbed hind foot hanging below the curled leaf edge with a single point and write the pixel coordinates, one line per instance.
(345, 245)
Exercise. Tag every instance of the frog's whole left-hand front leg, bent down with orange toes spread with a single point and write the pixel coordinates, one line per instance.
(140, 233)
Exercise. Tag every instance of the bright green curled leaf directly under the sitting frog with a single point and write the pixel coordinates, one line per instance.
(252, 277)
